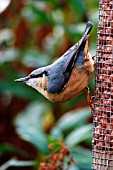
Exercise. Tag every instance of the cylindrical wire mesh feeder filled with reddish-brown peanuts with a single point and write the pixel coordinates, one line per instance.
(102, 156)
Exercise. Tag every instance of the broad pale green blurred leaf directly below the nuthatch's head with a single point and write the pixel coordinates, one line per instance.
(29, 125)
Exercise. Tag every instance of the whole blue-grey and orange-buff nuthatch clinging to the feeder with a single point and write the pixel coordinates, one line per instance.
(68, 76)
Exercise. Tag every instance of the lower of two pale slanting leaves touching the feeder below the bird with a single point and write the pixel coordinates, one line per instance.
(79, 135)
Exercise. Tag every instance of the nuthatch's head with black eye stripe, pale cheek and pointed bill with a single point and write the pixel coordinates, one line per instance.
(36, 79)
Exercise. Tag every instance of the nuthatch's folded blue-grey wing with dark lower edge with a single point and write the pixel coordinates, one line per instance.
(60, 71)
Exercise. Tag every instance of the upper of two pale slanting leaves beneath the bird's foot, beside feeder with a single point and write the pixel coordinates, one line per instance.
(69, 121)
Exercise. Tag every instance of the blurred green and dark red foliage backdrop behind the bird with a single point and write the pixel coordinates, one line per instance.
(34, 33)
